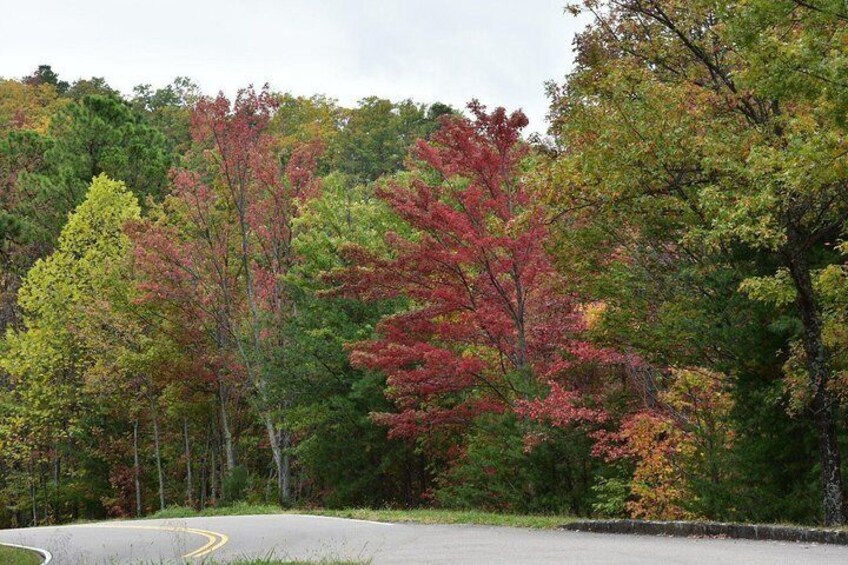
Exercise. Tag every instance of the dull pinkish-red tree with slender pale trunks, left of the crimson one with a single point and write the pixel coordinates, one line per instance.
(221, 261)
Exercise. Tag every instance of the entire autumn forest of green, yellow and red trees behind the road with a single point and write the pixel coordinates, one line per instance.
(275, 299)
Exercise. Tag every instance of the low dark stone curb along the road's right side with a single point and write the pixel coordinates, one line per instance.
(711, 529)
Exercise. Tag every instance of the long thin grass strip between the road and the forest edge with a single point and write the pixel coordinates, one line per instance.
(419, 516)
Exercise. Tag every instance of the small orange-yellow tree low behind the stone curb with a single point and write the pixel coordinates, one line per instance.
(679, 449)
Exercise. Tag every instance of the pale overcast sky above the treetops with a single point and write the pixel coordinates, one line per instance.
(500, 51)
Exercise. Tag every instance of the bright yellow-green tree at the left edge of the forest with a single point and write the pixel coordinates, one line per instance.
(47, 359)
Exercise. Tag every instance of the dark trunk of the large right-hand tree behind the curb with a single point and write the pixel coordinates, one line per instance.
(819, 373)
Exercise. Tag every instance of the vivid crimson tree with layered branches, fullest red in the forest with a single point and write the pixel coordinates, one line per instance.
(489, 328)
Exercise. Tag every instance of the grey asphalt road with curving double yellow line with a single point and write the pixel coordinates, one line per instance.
(224, 538)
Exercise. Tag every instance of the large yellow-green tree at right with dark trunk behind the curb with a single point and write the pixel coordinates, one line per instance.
(669, 114)
